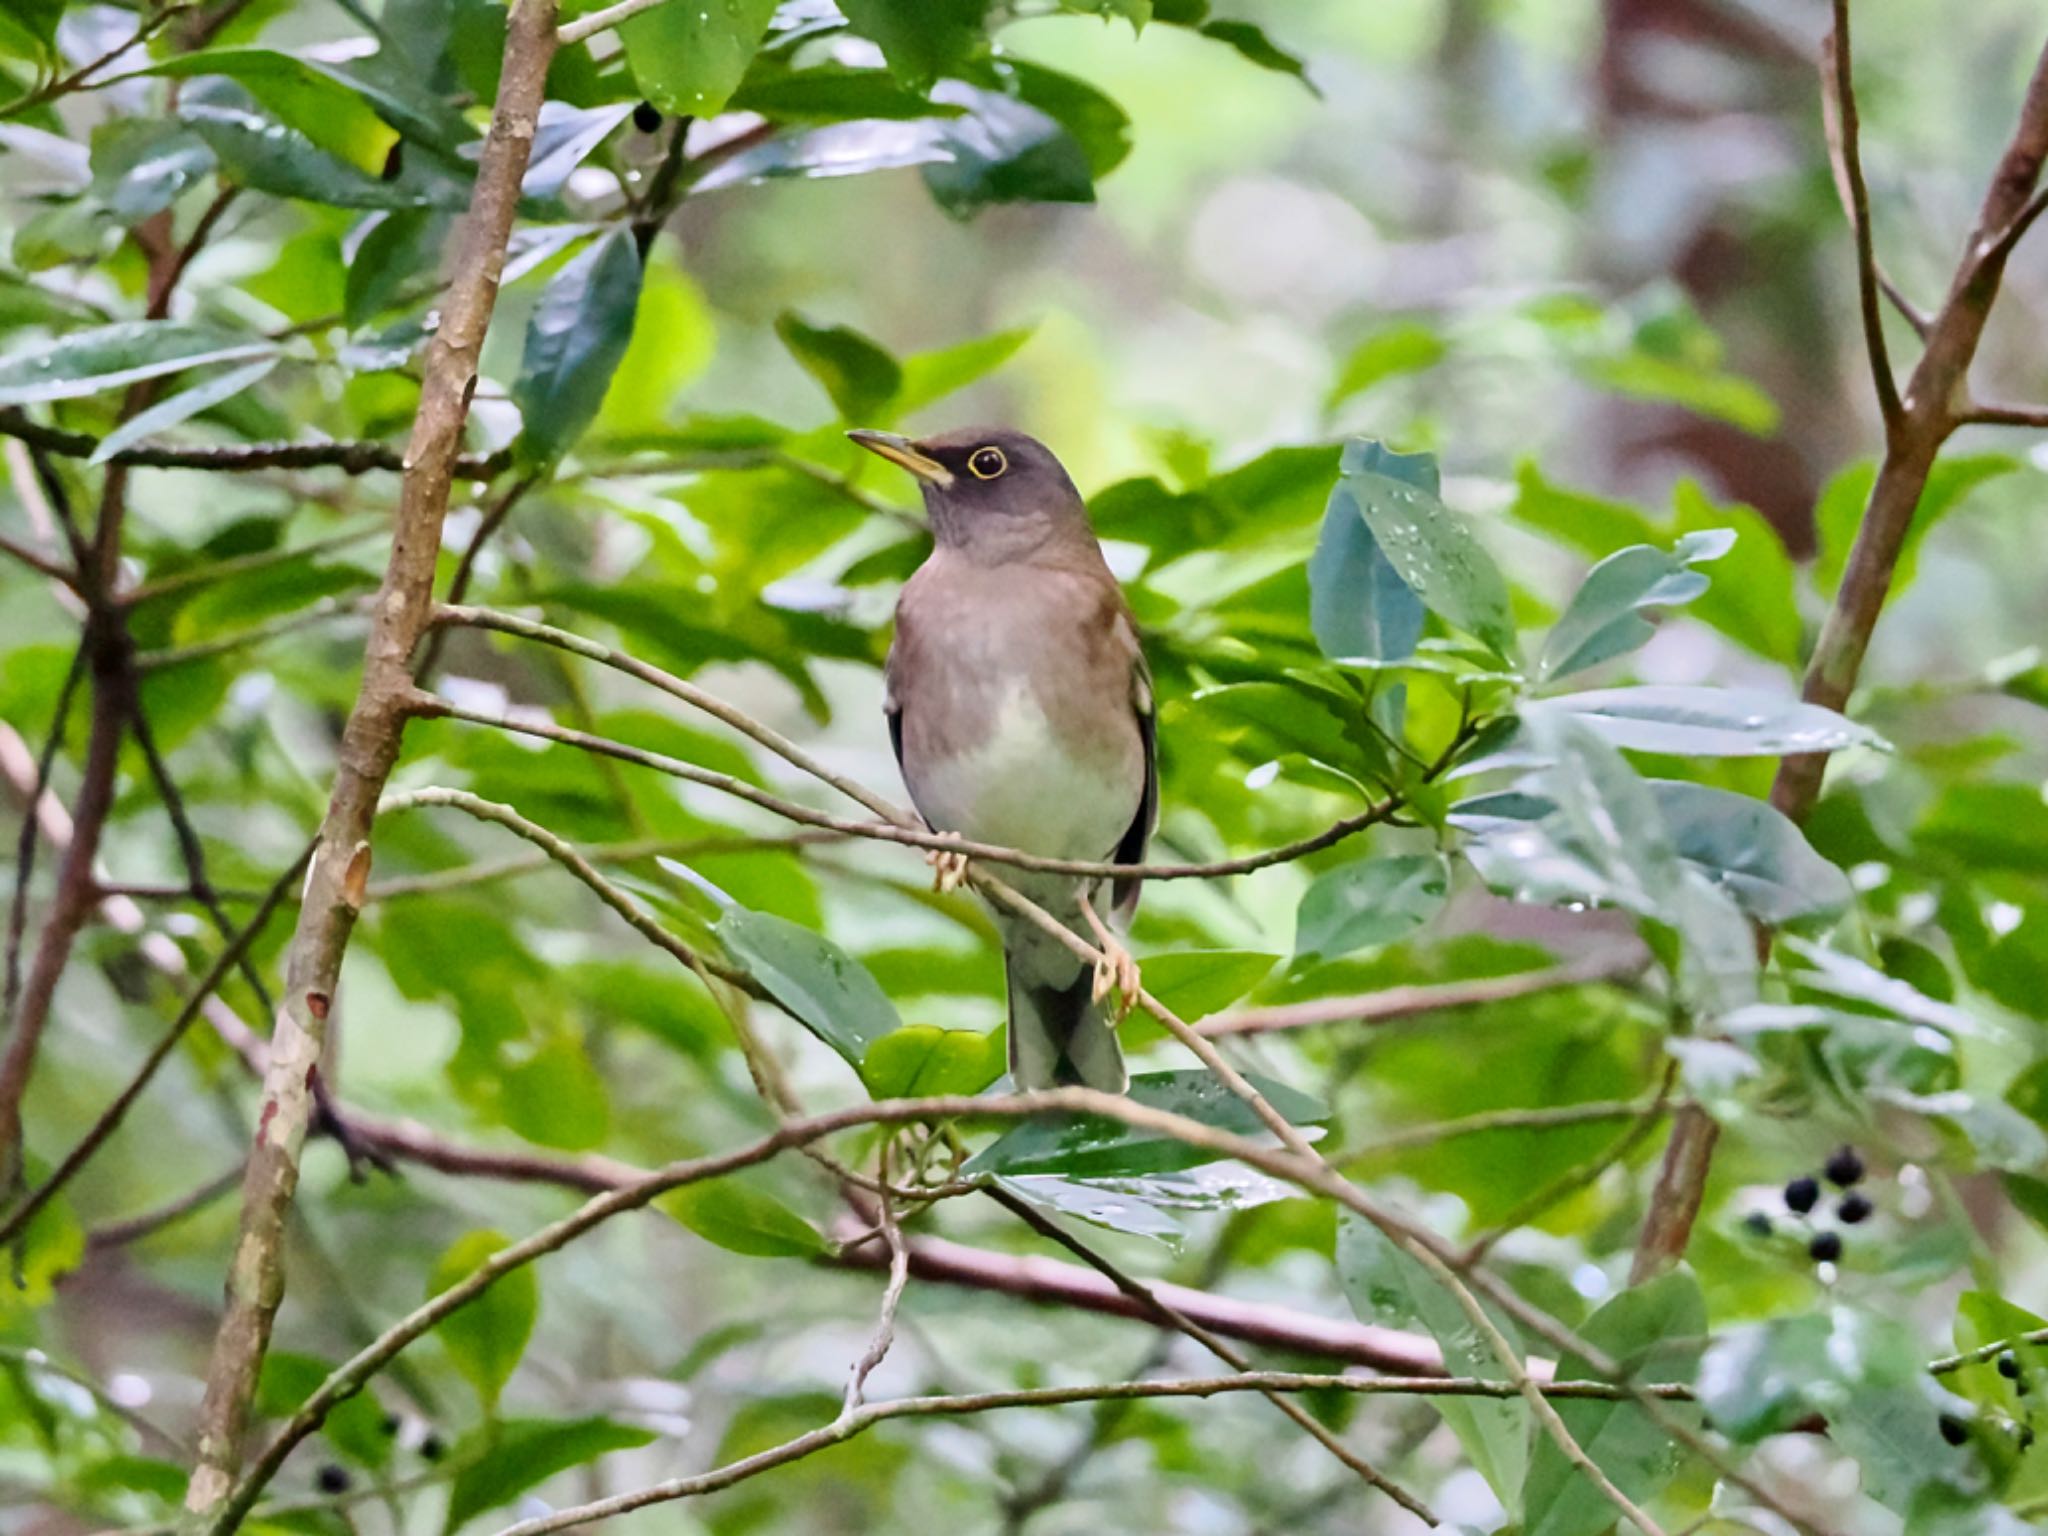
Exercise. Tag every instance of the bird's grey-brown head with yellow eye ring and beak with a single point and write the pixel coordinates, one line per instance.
(992, 493)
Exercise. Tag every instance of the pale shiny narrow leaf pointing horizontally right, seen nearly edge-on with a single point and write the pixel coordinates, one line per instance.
(1691, 722)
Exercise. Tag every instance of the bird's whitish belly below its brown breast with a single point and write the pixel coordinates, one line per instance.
(1025, 790)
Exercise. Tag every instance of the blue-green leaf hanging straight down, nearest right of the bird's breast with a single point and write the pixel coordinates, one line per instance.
(1359, 605)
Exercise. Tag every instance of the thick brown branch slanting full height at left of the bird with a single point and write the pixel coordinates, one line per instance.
(339, 876)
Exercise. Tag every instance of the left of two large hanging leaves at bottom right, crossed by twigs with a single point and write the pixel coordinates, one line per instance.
(1394, 1289)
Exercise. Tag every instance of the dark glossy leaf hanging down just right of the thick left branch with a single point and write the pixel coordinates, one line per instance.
(574, 343)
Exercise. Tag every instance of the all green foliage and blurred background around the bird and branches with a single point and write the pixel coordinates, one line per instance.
(1414, 359)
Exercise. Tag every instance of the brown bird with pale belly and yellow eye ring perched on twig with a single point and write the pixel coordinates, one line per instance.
(1021, 712)
